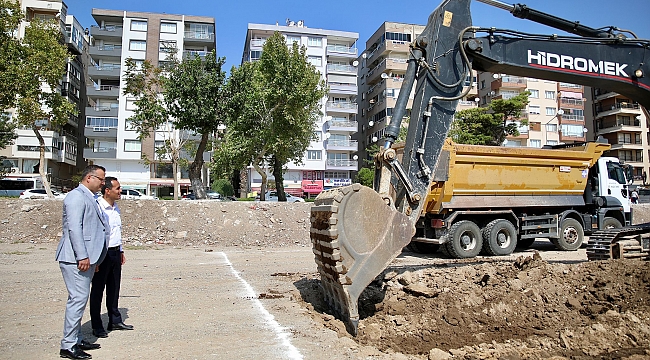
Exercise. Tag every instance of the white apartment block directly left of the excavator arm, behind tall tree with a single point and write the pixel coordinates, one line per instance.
(329, 161)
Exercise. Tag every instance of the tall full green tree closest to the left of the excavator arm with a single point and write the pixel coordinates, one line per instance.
(274, 105)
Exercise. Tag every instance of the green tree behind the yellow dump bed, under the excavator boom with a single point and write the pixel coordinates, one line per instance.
(489, 125)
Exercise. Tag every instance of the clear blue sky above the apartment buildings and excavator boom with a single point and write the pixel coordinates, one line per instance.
(365, 17)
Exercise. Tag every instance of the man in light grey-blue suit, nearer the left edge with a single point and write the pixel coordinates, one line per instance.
(82, 248)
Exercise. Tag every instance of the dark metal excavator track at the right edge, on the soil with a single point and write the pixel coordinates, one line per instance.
(631, 242)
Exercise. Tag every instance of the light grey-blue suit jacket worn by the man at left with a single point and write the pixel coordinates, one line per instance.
(85, 229)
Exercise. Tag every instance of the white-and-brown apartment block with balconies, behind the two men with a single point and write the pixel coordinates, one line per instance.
(112, 142)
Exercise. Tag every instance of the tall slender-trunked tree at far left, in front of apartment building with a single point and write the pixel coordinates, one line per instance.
(32, 68)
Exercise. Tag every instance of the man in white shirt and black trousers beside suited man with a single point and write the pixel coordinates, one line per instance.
(110, 272)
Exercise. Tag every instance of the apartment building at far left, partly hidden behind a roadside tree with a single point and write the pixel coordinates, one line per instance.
(62, 156)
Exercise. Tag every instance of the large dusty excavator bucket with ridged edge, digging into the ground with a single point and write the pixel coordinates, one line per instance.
(355, 235)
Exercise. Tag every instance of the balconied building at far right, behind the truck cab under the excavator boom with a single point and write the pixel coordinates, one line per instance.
(624, 123)
